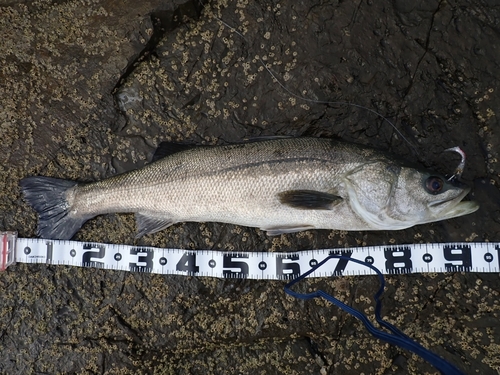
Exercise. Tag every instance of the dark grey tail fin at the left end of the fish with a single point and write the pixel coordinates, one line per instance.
(47, 196)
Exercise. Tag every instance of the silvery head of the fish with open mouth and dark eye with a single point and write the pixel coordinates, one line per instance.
(391, 196)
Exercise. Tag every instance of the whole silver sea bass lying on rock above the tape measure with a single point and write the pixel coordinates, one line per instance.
(279, 185)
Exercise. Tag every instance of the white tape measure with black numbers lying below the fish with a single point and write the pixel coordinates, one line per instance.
(391, 259)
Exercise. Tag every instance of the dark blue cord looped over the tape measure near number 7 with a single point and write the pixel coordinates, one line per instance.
(397, 337)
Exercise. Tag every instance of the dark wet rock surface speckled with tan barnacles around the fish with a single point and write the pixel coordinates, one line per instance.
(89, 89)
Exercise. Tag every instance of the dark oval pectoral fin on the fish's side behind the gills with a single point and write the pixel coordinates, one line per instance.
(309, 199)
